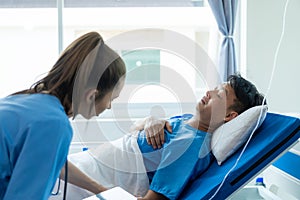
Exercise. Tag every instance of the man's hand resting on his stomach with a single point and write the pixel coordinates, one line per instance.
(154, 129)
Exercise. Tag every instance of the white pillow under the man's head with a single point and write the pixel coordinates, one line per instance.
(231, 135)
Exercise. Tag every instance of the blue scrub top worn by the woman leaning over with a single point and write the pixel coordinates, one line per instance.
(35, 134)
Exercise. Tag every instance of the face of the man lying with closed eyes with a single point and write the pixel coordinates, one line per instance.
(213, 107)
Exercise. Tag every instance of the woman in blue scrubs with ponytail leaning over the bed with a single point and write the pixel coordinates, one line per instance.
(34, 123)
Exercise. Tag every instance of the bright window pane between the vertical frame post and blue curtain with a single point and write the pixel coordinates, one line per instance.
(150, 66)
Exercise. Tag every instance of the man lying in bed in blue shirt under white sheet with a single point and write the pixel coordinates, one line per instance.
(162, 173)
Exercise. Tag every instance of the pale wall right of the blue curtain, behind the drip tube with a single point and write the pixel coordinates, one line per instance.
(264, 25)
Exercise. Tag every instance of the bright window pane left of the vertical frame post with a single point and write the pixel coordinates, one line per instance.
(29, 46)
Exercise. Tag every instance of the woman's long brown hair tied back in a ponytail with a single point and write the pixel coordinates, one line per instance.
(60, 79)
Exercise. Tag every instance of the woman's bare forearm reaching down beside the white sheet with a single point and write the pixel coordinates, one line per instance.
(80, 179)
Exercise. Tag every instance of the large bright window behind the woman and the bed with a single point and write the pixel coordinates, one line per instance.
(160, 81)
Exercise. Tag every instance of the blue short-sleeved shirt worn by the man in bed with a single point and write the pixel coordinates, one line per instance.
(185, 155)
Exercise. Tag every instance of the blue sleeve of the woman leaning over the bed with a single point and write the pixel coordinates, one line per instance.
(43, 153)
